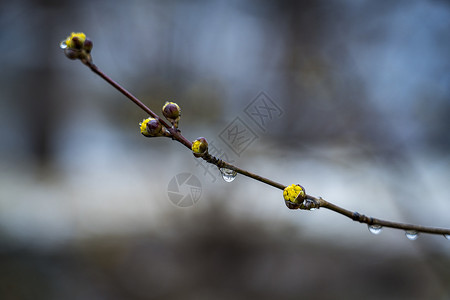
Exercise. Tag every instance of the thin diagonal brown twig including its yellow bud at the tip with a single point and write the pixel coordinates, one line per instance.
(77, 46)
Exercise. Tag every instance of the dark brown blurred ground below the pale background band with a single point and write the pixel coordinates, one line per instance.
(219, 257)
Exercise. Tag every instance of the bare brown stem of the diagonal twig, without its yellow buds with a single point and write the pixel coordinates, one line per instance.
(318, 202)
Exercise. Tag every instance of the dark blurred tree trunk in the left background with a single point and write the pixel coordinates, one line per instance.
(38, 94)
